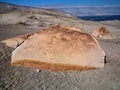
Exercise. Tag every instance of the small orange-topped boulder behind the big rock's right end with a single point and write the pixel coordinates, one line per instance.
(102, 33)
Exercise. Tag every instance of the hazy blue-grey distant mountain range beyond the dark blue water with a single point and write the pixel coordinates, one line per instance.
(87, 10)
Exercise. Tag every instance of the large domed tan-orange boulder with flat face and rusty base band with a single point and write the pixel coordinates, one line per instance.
(59, 48)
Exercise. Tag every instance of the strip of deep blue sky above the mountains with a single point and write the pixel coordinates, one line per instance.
(36, 3)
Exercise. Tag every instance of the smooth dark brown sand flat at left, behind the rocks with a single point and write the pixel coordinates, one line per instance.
(9, 31)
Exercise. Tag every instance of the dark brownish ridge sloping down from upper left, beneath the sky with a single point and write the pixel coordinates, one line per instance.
(4, 7)
